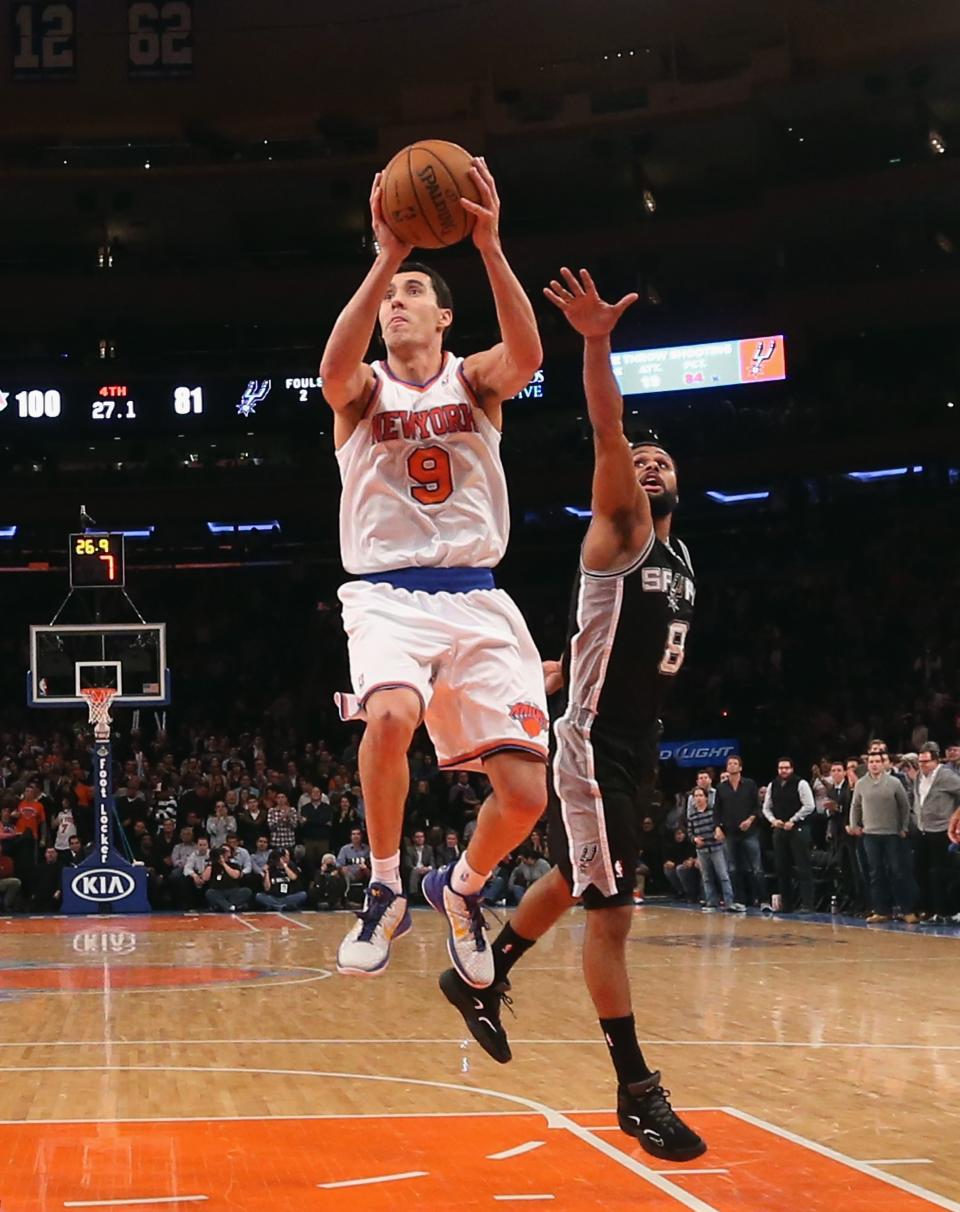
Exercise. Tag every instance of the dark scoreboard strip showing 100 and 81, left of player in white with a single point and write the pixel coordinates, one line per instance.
(151, 407)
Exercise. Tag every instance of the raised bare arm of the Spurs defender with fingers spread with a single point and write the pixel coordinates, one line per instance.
(616, 494)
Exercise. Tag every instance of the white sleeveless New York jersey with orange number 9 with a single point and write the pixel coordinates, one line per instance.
(424, 485)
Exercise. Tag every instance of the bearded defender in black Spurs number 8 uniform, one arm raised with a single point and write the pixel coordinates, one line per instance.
(633, 603)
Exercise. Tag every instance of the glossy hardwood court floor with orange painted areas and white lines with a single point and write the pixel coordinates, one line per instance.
(219, 1062)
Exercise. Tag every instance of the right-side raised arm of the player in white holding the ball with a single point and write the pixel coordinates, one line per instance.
(505, 370)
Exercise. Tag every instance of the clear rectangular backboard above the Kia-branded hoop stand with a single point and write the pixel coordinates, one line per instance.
(129, 658)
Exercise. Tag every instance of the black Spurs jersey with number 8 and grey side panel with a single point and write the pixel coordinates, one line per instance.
(627, 638)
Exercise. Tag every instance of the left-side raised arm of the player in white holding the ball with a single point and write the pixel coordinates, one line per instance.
(347, 379)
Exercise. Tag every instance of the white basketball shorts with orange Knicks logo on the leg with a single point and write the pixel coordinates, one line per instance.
(468, 656)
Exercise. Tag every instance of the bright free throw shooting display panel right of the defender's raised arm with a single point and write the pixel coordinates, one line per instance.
(685, 368)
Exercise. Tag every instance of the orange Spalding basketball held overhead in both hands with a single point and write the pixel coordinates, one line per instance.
(422, 188)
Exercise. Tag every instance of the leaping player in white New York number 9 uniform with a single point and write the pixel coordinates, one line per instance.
(425, 519)
